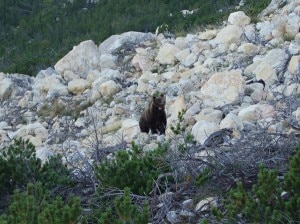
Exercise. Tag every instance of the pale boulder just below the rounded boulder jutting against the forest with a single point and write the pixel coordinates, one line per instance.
(228, 35)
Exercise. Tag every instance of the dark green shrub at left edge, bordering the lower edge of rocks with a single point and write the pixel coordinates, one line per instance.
(19, 166)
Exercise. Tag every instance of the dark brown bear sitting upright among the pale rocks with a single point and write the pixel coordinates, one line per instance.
(154, 117)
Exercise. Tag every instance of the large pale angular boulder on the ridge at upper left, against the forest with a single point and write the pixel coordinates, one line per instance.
(80, 60)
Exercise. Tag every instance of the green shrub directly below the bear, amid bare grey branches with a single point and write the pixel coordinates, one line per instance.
(134, 169)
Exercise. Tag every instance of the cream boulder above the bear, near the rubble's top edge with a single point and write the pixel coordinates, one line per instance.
(166, 54)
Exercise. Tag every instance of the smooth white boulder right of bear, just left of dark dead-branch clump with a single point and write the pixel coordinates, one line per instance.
(203, 129)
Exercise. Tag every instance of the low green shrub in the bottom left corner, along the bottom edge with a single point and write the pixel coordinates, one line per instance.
(35, 206)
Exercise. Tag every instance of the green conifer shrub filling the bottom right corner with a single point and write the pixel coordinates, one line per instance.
(264, 203)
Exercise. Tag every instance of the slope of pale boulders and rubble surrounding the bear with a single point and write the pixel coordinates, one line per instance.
(93, 96)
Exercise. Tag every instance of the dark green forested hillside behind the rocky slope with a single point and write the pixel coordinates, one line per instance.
(35, 34)
